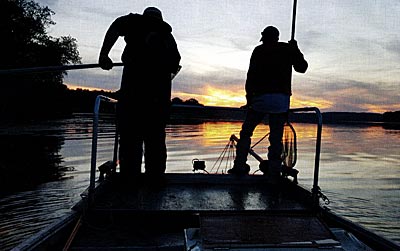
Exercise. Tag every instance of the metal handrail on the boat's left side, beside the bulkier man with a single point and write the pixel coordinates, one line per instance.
(99, 99)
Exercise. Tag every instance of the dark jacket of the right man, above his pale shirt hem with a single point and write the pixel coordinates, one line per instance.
(270, 69)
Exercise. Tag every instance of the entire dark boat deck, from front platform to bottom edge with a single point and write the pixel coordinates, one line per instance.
(202, 211)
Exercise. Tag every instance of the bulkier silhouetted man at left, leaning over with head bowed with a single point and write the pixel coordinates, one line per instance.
(150, 57)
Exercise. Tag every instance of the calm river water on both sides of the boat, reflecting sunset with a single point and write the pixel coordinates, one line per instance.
(359, 168)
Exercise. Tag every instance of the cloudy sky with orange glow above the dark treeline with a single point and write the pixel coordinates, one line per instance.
(352, 47)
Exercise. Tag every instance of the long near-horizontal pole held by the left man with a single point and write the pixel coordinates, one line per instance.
(51, 68)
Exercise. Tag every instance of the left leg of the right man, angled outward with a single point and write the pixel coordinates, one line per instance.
(251, 121)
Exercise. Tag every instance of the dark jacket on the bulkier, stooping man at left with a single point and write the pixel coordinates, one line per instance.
(150, 56)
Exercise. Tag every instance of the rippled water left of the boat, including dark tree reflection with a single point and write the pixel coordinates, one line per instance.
(48, 163)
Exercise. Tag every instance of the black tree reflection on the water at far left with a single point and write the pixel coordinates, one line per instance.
(29, 160)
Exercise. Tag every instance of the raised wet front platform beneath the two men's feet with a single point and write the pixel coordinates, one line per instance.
(200, 192)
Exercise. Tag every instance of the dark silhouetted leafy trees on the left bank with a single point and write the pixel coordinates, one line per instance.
(25, 43)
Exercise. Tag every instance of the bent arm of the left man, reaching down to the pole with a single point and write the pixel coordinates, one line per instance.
(110, 38)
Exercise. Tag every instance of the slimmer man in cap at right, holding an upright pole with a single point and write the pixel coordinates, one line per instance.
(268, 90)
